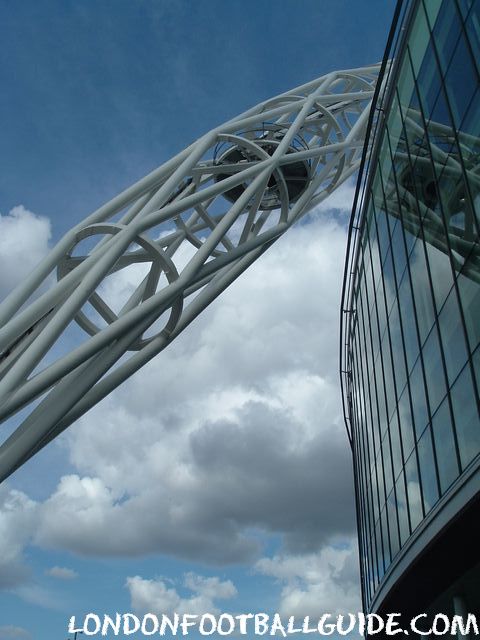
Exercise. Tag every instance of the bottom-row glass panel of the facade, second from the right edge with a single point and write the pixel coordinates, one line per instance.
(445, 447)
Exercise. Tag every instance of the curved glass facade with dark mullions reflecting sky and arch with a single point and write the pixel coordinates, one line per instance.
(412, 355)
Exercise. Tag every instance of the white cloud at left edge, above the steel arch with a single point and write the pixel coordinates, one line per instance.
(24, 238)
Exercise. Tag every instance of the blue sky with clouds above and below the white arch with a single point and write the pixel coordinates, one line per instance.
(218, 478)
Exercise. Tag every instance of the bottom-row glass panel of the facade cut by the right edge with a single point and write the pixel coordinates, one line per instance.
(465, 413)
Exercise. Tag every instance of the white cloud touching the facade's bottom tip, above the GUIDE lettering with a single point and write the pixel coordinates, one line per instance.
(325, 582)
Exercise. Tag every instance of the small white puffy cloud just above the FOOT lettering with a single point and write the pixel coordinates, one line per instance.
(154, 596)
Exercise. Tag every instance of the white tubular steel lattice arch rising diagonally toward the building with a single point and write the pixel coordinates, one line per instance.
(195, 224)
